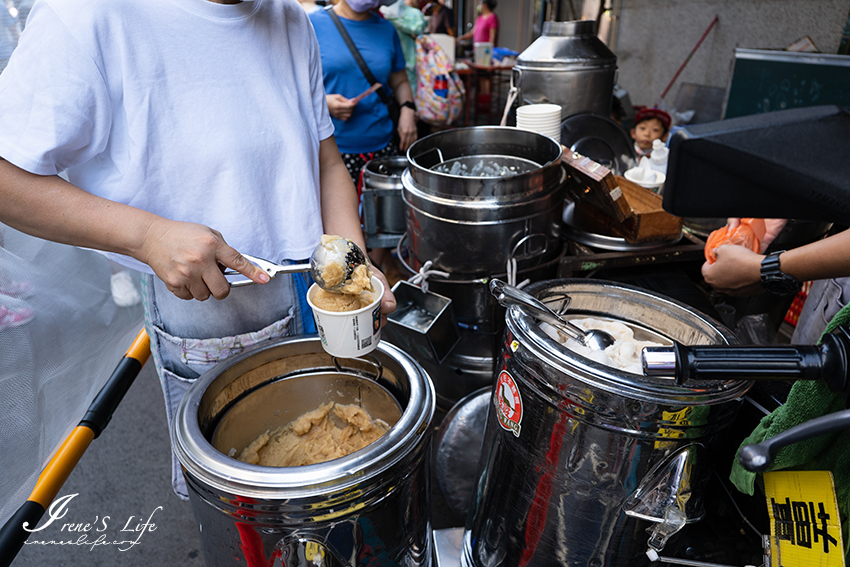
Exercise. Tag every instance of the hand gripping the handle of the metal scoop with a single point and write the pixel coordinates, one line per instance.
(188, 257)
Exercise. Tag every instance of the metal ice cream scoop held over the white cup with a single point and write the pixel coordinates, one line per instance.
(336, 250)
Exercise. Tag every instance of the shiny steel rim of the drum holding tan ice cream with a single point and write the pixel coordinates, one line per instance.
(204, 462)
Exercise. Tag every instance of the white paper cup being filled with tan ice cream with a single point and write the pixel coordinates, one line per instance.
(349, 334)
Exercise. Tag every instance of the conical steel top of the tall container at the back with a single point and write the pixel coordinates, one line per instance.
(566, 45)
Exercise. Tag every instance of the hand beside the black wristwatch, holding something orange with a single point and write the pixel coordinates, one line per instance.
(736, 272)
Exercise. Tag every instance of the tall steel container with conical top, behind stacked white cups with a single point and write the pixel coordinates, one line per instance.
(567, 65)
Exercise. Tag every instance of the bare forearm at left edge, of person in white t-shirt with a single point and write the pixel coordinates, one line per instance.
(51, 208)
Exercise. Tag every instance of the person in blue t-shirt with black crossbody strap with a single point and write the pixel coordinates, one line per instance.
(363, 127)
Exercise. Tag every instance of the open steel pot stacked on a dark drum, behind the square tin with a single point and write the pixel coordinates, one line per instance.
(470, 224)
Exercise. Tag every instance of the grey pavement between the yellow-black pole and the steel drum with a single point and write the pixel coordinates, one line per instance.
(121, 482)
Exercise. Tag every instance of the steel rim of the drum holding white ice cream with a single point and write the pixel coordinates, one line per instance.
(652, 316)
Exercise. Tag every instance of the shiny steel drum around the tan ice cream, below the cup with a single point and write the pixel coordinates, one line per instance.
(368, 508)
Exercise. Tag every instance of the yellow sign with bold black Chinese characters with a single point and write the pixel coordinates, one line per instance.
(805, 529)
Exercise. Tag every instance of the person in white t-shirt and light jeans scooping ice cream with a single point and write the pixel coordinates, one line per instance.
(189, 131)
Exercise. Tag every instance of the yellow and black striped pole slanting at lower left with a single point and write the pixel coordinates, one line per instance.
(58, 469)
